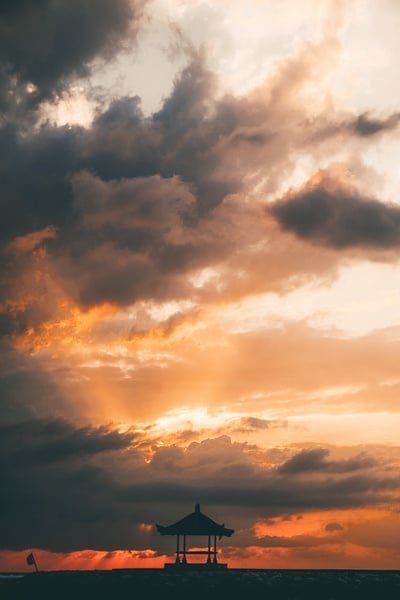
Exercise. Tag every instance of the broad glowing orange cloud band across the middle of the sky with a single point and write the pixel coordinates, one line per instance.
(347, 374)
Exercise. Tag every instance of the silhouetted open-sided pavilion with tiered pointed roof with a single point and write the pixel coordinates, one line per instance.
(196, 523)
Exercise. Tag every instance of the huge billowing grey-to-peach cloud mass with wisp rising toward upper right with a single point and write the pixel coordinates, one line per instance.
(180, 159)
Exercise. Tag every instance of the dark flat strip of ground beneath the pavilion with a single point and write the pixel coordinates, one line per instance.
(274, 584)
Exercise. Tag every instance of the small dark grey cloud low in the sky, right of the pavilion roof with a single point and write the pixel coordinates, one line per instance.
(316, 459)
